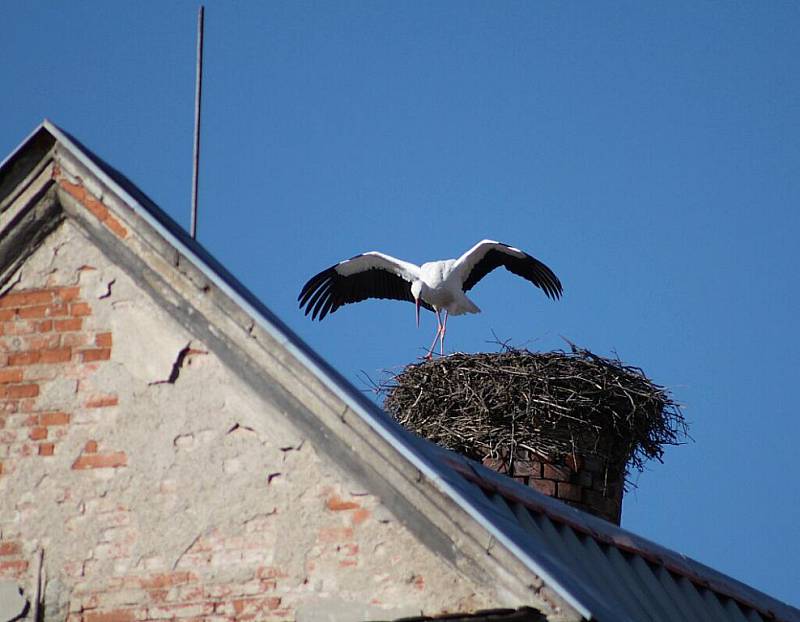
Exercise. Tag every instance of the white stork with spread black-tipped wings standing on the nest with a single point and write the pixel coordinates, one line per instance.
(435, 285)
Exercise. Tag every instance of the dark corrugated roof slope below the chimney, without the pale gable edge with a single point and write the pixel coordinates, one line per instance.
(638, 579)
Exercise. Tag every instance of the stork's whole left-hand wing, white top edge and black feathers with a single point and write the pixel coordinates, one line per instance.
(369, 275)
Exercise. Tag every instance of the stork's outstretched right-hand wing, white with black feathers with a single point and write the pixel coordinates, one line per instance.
(487, 255)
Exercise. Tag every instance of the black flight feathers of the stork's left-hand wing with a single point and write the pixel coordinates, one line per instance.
(327, 291)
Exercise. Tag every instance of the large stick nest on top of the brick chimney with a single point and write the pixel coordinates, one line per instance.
(553, 404)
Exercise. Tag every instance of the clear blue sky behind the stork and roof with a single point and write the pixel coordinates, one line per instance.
(648, 152)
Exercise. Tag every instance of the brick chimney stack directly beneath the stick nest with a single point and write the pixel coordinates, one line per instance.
(582, 482)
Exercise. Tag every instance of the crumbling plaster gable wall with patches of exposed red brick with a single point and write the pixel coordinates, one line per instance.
(159, 486)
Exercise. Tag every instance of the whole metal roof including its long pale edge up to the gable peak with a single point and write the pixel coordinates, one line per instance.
(604, 572)
